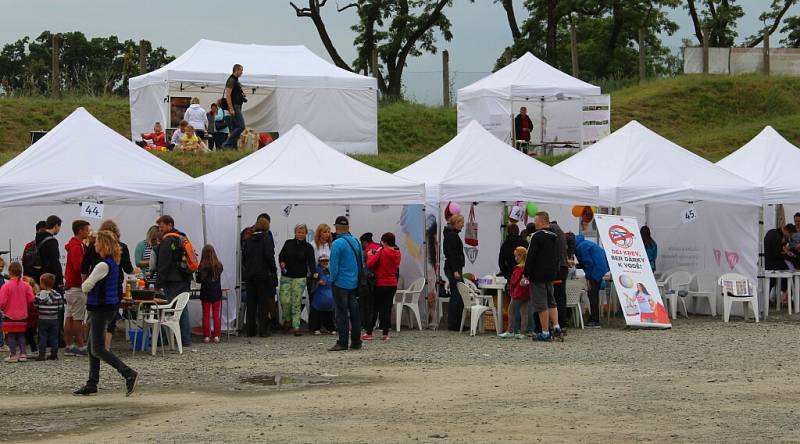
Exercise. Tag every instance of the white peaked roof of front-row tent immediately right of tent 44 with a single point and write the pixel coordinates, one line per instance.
(299, 168)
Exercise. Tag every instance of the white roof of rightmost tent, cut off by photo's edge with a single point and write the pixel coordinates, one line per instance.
(770, 161)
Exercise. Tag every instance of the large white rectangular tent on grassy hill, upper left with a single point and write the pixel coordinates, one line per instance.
(285, 85)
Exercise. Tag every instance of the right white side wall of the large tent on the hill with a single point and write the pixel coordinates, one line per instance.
(342, 118)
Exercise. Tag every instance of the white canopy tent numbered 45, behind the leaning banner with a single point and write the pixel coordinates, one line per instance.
(658, 182)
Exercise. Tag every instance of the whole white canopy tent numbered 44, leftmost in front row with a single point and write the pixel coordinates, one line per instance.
(82, 160)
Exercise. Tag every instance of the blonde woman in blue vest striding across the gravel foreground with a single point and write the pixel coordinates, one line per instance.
(102, 304)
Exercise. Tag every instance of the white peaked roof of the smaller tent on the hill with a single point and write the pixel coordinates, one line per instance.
(528, 77)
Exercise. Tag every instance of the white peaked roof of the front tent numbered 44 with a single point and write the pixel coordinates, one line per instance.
(83, 159)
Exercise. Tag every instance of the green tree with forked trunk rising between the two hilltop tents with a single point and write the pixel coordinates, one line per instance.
(398, 29)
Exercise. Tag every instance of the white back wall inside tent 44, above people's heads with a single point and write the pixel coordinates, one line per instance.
(17, 224)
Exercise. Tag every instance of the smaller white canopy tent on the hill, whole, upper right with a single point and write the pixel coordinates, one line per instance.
(560, 105)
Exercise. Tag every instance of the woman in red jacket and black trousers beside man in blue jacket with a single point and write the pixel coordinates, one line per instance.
(385, 263)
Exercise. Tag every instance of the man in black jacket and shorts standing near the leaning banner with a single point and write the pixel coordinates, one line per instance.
(541, 269)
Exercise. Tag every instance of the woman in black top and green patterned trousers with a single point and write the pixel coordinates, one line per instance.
(297, 263)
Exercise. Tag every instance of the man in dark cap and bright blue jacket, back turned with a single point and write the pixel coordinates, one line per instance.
(347, 258)
